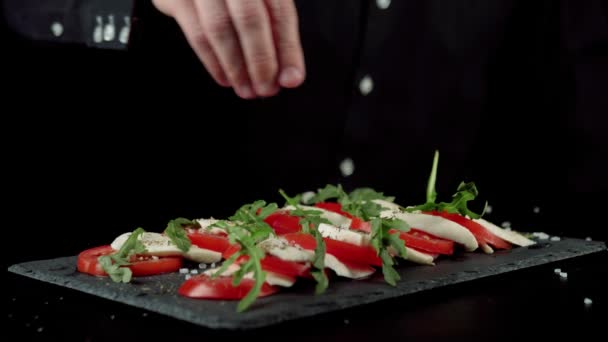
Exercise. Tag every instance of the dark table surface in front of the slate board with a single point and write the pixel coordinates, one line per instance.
(530, 302)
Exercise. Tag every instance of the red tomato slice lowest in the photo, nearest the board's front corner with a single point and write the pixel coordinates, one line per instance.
(220, 288)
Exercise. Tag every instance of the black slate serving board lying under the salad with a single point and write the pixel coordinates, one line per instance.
(158, 294)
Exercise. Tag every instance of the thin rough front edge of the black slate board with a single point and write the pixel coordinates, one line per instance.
(150, 305)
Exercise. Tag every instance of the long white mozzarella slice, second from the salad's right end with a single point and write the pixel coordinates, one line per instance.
(436, 225)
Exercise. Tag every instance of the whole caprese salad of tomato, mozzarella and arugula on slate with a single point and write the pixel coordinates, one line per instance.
(313, 237)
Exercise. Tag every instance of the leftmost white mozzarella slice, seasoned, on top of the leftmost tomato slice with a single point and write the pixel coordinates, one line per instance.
(160, 245)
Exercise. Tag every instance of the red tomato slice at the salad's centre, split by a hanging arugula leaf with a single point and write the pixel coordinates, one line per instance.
(341, 250)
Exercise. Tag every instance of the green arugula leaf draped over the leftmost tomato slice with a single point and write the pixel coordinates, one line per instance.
(113, 264)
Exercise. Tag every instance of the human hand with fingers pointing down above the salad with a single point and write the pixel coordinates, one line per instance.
(252, 46)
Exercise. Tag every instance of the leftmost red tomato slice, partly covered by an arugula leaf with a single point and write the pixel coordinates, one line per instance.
(87, 263)
